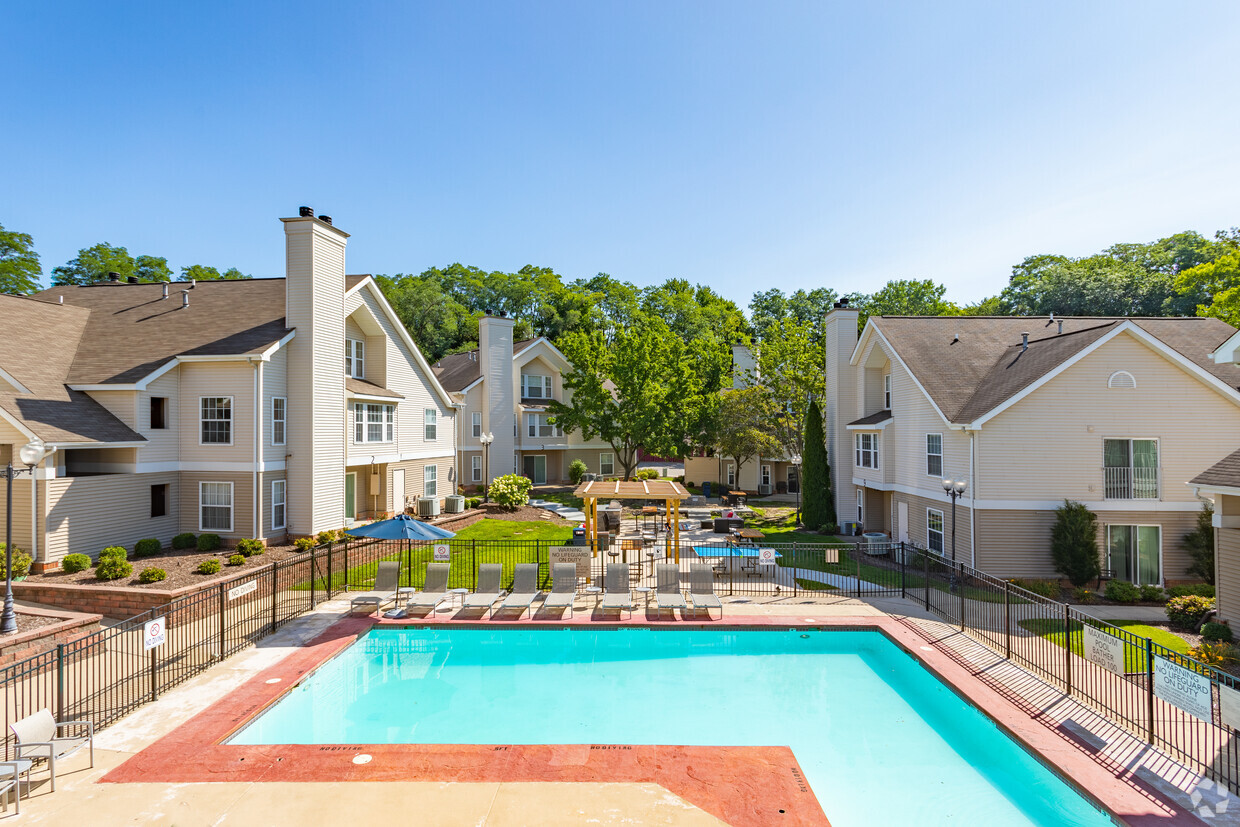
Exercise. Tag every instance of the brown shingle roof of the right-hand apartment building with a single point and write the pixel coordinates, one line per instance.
(985, 368)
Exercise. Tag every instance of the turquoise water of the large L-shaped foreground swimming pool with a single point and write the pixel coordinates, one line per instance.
(881, 741)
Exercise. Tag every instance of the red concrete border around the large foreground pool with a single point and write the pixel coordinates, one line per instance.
(741, 785)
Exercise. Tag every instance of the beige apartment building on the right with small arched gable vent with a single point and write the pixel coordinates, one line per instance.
(1029, 413)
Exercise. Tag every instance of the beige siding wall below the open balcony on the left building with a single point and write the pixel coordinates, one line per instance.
(92, 513)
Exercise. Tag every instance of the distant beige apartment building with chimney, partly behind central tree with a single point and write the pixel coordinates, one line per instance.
(503, 389)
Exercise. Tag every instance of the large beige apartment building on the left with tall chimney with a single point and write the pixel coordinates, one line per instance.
(256, 409)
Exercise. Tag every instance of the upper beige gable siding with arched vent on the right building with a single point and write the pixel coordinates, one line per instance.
(1050, 446)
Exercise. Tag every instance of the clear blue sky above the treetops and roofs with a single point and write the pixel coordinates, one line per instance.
(740, 146)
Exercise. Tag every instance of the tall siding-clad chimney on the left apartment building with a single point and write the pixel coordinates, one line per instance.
(314, 307)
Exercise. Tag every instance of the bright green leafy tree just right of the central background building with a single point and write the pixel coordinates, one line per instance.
(637, 391)
